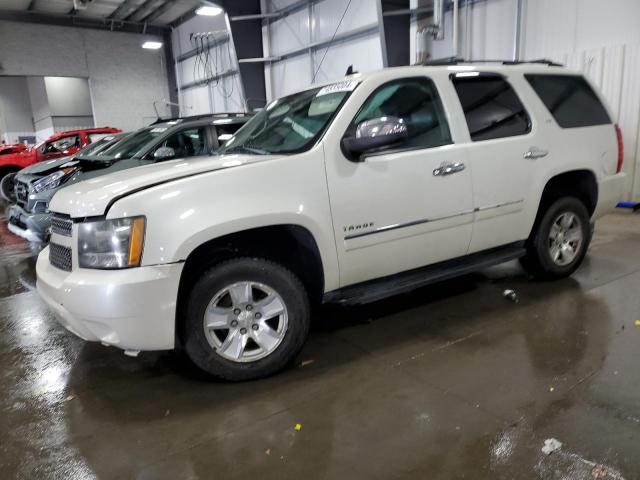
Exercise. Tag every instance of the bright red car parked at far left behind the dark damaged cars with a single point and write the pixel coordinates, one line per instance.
(58, 145)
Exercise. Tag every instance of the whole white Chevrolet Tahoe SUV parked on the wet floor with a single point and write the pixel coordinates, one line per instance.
(346, 193)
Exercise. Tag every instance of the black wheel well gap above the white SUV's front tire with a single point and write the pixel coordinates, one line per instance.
(289, 245)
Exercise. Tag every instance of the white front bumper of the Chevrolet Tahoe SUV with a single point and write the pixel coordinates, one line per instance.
(132, 309)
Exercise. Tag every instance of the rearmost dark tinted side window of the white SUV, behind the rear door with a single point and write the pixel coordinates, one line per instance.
(570, 99)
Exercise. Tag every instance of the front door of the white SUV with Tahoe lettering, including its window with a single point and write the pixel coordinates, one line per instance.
(400, 207)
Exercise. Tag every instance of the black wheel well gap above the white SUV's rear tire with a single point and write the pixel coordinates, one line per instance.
(580, 184)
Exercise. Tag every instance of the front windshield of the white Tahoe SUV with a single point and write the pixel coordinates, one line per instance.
(291, 124)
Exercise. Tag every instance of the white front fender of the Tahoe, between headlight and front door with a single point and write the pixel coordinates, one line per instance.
(186, 213)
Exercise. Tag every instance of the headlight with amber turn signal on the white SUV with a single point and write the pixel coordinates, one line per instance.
(111, 244)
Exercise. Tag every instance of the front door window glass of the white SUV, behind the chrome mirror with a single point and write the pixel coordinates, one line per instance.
(416, 101)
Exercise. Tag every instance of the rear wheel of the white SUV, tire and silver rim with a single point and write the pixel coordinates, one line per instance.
(559, 244)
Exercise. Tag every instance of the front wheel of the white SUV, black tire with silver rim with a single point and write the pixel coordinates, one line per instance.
(246, 318)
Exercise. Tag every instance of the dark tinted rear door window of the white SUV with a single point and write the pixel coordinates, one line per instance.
(491, 107)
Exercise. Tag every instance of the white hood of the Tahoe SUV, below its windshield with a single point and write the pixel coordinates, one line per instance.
(93, 197)
